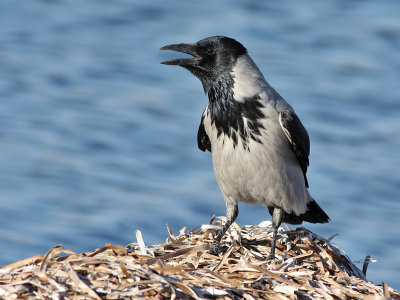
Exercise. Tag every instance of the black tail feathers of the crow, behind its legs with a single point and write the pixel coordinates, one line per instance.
(313, 214)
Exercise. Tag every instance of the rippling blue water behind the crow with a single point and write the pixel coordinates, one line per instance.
(97, 139)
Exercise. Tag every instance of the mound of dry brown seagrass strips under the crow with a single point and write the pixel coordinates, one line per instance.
(307, 267)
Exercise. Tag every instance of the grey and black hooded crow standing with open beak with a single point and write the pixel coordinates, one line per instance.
(259, 147)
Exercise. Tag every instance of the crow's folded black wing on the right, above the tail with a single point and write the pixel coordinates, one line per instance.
(298, 138)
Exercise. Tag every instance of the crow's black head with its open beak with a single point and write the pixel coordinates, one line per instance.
(212, 57)
